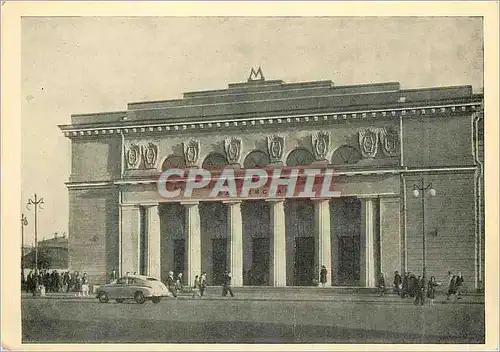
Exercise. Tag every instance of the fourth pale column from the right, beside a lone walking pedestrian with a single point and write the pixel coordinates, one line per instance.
(235, 243)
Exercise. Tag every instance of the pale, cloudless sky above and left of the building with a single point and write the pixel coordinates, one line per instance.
(72, 65)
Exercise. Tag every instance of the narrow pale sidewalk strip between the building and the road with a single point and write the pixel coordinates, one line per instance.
(244, 294)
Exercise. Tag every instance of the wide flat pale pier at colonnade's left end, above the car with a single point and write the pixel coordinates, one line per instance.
(129, 238)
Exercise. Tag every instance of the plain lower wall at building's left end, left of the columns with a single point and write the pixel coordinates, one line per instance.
(93, 232)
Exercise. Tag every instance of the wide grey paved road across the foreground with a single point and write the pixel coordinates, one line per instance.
(67, 319)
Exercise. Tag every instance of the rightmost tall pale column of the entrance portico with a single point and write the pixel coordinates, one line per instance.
(368, 223)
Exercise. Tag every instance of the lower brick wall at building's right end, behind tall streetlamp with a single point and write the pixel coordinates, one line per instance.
(449, 226)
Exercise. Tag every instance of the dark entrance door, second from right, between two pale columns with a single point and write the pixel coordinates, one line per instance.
(304, 261)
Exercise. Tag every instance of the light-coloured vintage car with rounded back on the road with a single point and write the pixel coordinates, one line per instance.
(138, 287)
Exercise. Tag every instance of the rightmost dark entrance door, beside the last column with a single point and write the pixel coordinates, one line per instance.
(349, 270)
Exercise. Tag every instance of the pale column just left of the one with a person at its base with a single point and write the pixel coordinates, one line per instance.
(277, 272)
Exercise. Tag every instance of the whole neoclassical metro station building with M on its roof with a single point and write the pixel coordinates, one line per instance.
(378, 139)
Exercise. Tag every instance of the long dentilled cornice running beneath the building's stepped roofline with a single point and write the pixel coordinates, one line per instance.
(119, 128)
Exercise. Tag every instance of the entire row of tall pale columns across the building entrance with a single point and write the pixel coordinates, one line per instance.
(130, 218)
